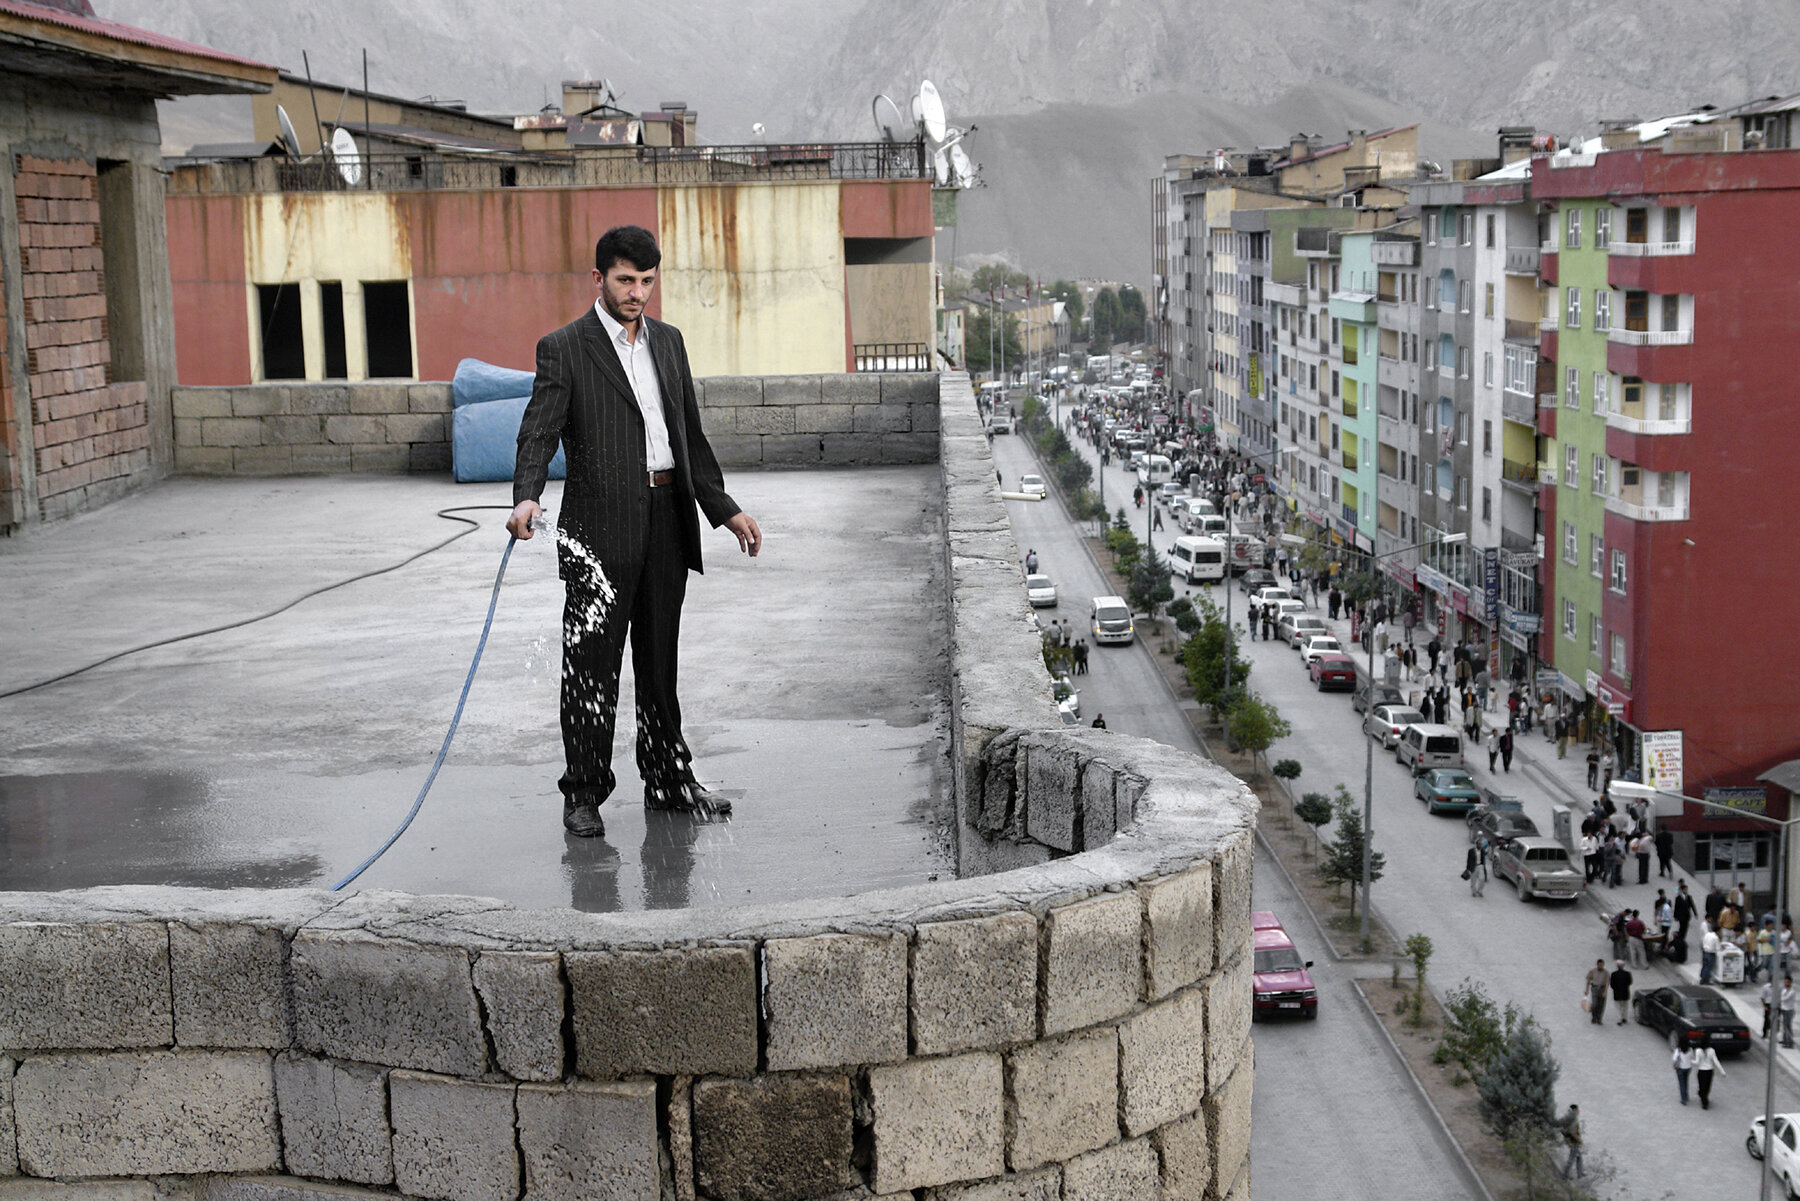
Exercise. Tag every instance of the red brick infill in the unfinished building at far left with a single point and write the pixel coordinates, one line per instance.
(89, 435)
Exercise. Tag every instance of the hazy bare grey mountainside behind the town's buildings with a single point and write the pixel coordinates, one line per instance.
(1077, 100)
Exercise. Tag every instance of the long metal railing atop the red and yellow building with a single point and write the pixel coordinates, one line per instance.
(606, 167)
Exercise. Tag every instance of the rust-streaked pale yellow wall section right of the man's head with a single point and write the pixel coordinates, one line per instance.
(755, 276)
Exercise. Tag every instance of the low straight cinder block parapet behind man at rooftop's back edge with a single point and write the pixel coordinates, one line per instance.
(377, 426)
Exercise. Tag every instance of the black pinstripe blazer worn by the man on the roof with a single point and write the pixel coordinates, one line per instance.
(582, 399)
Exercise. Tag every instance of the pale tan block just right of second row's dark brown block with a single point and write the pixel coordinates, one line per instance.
(939, 1121)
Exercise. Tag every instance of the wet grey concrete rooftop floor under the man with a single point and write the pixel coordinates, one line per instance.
(283, 752)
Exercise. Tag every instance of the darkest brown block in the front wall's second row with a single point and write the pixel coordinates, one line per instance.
(773, 1137)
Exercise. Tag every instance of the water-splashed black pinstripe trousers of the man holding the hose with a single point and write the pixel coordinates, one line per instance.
(645, 606)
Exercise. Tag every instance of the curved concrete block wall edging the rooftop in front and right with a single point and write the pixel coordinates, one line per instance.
(1075, 1029)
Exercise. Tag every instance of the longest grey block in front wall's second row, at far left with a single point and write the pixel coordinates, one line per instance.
(147, 1114)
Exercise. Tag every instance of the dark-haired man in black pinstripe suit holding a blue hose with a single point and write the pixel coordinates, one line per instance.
(616, 392)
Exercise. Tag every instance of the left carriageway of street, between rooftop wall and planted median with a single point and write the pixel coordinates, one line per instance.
(1331, 1101)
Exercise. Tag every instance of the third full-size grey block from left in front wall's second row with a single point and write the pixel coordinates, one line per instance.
(453, 1139)
